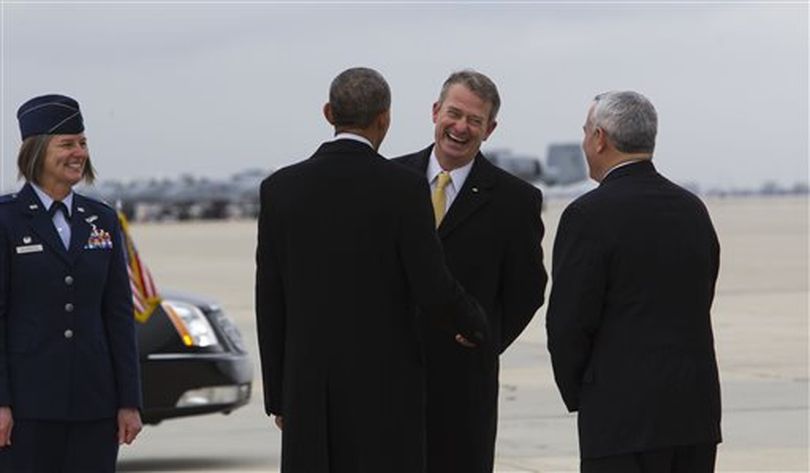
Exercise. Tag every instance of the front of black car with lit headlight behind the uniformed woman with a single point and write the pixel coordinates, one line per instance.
(193, 360)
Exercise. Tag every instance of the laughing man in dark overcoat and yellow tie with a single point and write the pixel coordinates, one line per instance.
(490, 227)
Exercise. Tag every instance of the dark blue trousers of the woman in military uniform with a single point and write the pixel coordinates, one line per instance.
(61, 447)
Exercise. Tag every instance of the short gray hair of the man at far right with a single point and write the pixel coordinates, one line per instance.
(628, 119)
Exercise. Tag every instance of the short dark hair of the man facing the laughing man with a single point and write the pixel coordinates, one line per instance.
(358, 96)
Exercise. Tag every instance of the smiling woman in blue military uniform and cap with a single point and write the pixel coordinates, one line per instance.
(69, 383)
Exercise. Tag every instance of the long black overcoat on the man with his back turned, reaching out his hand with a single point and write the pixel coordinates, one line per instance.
(346, 248)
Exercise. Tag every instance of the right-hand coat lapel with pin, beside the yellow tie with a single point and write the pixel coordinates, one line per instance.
(474, 194)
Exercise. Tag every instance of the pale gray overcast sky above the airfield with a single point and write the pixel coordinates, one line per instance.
(211, 89)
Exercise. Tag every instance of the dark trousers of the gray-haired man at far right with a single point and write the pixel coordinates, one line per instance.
(686, 459)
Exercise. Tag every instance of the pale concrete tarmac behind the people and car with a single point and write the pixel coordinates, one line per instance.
(760, 317)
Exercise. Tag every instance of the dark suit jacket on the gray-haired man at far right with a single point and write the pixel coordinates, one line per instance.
(635, 265)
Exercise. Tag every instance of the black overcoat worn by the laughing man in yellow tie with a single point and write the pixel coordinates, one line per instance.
(491, 237)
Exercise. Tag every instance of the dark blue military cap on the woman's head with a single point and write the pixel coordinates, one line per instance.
(50, 115)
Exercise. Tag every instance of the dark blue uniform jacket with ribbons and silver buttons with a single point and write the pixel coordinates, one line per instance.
(67, 335)
